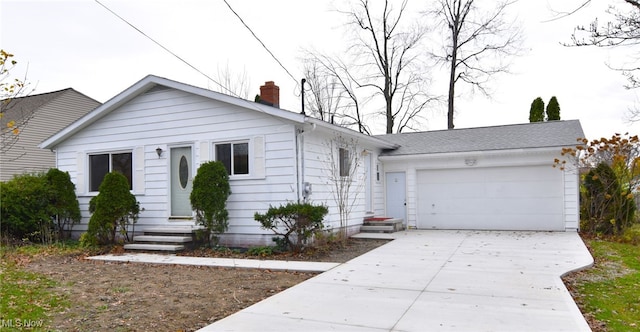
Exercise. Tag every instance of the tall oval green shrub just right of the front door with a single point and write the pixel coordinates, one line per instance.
(209, 199)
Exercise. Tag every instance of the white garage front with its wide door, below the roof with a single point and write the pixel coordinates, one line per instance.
(477, 189)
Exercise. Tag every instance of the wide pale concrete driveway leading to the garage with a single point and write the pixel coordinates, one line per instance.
(434, 280)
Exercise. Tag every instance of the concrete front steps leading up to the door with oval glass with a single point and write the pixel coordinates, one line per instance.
(164, 238)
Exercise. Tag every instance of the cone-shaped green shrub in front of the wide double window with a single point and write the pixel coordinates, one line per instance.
(115, 207)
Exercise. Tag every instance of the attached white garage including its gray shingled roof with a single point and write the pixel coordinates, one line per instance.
(489, 178)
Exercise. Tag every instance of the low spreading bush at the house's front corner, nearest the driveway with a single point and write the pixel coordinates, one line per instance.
(295, 223)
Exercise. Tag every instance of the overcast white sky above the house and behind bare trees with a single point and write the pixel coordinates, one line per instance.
(79, 44)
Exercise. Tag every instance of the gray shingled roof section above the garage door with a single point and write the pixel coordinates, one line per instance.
(519, 136)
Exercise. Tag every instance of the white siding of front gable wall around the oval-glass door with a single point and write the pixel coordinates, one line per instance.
(167, 118)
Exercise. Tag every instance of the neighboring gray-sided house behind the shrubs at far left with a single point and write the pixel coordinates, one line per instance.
(46, 113)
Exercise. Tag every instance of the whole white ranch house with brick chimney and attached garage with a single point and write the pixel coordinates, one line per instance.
(158, 131)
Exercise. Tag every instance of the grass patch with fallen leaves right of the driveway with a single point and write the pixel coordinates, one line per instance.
(610, 291)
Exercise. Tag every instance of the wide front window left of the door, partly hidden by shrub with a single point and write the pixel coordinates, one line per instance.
(101, 164)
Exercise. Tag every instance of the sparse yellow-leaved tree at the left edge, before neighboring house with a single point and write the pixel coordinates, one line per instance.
(13, 118)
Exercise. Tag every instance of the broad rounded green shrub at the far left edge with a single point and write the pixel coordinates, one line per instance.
(24, 206)
